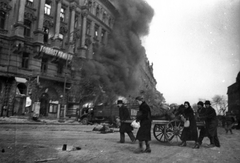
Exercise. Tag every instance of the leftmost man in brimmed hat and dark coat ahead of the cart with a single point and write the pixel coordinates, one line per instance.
(124, 115)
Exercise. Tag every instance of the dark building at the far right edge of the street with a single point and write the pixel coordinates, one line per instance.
(234, 97)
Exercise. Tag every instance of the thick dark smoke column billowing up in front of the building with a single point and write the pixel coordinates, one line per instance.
(115, 64)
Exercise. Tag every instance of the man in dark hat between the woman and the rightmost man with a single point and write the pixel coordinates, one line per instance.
(203, 132)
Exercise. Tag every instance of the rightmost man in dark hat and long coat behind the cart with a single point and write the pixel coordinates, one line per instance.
(211, 125)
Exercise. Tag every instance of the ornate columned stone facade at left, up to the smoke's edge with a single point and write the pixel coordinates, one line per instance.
(38, 40)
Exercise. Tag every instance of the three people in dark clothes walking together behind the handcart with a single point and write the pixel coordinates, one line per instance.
(208, 116)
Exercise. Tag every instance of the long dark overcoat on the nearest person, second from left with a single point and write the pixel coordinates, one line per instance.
(144, 132)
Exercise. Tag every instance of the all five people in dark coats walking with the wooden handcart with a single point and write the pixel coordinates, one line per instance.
(205, 113)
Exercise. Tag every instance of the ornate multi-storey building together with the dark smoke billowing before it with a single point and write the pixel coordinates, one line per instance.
(43, 43)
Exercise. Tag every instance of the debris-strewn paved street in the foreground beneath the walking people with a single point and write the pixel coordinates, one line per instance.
(28, 143)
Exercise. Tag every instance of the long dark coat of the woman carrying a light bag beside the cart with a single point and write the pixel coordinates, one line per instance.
(189, 133)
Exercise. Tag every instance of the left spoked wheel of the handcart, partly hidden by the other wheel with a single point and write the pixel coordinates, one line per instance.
(158, 132)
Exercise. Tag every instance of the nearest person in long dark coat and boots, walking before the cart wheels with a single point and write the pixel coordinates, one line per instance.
(144, 132)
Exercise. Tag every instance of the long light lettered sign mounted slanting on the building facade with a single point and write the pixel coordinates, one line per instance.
(55, 53)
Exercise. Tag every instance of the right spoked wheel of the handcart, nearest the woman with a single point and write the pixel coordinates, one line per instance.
(173, 130)
